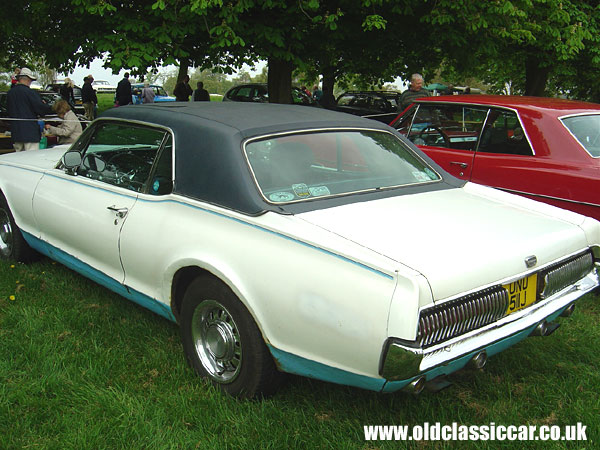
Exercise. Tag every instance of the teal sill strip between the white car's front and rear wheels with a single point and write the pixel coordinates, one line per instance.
(95, 275)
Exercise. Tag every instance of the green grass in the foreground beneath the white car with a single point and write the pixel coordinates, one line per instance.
(82, 368)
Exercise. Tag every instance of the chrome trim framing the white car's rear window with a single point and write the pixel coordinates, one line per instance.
(326, 130)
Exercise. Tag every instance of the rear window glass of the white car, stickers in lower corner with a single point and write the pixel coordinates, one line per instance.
(300, 167)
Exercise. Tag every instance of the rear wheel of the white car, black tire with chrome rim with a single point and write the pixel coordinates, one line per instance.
(222, 342)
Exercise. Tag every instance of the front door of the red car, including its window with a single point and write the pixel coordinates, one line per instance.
(448, 133)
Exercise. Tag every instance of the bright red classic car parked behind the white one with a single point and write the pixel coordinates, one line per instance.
(543, 148)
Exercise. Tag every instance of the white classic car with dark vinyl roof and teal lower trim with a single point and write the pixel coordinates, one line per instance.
(288, 239)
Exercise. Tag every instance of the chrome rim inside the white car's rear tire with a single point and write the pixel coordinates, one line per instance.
(217, 341)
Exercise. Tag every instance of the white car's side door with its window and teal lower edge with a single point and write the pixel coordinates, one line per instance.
(81, 215)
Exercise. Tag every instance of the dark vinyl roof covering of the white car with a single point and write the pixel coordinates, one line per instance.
(208, 139)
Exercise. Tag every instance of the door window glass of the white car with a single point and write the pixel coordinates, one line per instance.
(121, 154)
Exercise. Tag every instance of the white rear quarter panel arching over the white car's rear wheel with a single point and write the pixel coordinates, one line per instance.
(307, 299)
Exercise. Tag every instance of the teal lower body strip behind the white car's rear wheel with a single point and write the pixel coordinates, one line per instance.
(312, 369)
